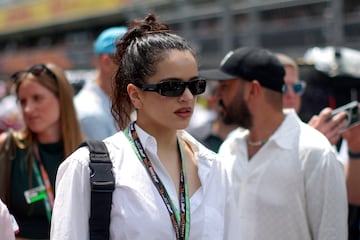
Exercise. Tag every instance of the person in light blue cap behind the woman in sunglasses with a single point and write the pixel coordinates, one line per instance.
(93, 104)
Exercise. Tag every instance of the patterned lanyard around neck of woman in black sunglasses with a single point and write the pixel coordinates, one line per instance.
(180, 221)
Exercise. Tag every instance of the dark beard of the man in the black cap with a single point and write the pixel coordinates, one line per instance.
(237, 112)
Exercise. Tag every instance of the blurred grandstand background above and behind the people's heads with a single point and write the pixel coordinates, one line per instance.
(62, 31)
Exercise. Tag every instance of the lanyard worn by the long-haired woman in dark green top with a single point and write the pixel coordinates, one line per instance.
(42, 179)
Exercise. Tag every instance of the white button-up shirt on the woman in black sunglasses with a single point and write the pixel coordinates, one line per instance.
(138, 211)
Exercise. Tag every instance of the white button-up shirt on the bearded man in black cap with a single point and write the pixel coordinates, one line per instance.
(293, 188)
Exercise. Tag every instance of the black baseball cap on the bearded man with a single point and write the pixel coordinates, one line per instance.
(249, 64)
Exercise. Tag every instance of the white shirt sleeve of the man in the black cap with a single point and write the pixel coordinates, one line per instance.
(326, 199)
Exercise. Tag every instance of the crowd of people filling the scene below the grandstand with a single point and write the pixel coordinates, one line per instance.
(254, 170)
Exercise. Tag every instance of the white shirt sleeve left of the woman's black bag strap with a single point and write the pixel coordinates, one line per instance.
(71, 213)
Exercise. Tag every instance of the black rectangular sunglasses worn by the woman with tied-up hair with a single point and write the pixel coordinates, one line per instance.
(175, 87)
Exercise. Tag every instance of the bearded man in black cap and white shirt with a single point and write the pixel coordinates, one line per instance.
(286, 175)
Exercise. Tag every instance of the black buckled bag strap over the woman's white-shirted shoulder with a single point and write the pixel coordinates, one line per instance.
(102, 186)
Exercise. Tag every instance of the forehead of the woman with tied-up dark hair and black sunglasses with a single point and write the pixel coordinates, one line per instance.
(176, 64)
